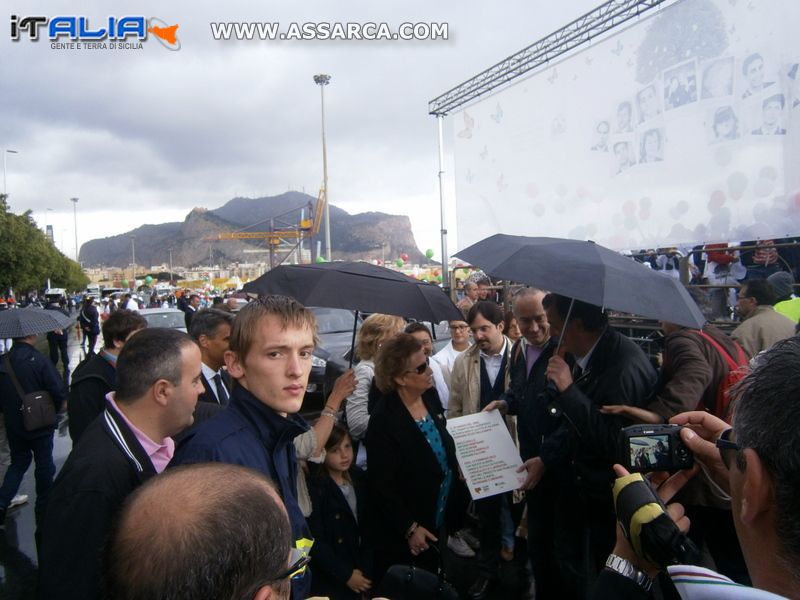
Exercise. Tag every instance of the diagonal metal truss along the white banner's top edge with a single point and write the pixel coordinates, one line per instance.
(581, 31)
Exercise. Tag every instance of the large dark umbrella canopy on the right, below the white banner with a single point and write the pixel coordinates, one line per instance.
(588, 272)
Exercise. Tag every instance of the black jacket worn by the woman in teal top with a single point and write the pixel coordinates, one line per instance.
(404, 475)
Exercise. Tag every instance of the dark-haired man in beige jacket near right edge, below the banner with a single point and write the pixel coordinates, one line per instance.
(761, 325)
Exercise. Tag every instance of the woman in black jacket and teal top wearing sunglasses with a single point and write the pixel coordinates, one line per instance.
(413, 474)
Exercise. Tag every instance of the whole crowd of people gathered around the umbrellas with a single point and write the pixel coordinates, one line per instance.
(193, 475)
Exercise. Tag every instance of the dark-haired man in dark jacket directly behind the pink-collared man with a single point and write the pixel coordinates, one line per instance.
(97, 375)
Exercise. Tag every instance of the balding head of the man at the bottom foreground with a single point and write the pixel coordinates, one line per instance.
(200, 531)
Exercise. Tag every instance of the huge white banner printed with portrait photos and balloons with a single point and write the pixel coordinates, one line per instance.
(683, 128)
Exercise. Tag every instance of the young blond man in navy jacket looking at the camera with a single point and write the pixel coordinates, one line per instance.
(271, 345)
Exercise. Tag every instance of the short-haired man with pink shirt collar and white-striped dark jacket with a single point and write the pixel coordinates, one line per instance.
(158, 381)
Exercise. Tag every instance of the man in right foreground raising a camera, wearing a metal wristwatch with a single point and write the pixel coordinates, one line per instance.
(757, 462)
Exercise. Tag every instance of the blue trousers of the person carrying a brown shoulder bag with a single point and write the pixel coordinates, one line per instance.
(23, 451)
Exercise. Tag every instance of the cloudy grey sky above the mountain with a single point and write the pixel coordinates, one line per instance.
(144, 136)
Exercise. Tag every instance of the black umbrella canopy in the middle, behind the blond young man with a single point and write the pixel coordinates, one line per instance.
(357, 286)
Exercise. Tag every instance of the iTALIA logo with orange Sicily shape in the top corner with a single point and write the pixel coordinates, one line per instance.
(114, 30)
